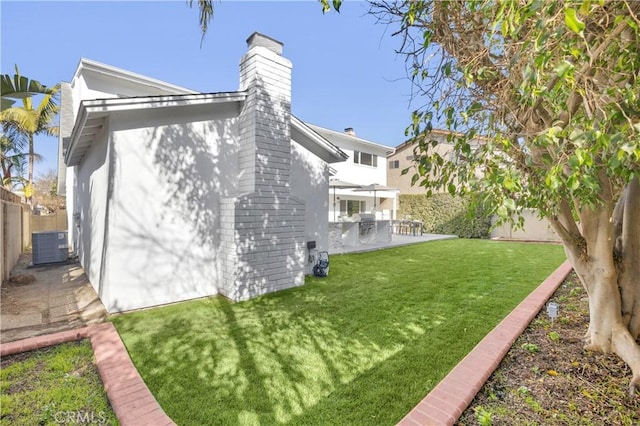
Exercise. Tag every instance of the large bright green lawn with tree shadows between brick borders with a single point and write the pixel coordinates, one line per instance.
(361, 346)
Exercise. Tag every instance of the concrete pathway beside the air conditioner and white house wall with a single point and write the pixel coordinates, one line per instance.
(44, 299)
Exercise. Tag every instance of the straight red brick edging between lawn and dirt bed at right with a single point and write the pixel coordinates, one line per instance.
(446, 402)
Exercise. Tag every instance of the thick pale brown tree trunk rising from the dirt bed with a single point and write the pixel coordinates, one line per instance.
(614, 309)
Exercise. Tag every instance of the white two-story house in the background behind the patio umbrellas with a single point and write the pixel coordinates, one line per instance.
(366, 165)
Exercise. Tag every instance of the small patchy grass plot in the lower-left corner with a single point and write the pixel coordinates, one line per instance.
(51, 386)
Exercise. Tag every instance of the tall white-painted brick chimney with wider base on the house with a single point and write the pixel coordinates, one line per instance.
(263, 227)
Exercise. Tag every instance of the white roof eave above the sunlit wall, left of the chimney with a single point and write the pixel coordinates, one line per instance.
(95, 110)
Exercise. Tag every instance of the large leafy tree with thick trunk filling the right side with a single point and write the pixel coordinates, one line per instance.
(554, 88)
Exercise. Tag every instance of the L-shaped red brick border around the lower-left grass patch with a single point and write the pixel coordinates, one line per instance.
(130, 398)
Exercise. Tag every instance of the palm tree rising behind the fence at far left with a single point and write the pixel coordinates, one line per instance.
(27, 120)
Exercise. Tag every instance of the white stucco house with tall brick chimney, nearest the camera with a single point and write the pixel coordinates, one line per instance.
(174, 194)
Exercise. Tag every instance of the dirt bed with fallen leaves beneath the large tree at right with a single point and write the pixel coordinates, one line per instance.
(548, 378)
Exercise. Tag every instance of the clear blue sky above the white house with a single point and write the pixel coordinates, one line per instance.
(345, 71)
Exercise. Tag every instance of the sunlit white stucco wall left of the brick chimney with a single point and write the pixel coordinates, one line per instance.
(164, 234)
